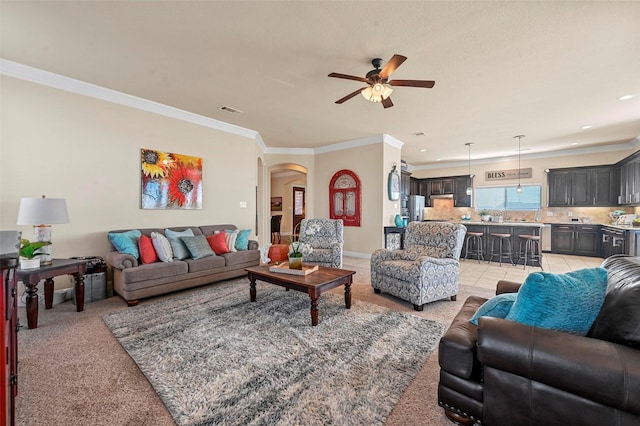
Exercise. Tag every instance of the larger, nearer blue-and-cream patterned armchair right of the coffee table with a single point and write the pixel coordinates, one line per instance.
(426, 269)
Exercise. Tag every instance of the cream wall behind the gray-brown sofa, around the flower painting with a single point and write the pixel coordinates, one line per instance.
(87, 151)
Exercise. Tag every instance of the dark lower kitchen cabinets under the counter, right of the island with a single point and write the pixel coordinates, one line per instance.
(582, 240)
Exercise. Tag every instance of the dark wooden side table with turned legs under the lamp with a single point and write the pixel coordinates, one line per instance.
(31, 278)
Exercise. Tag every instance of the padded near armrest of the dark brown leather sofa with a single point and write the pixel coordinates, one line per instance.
(595, 369)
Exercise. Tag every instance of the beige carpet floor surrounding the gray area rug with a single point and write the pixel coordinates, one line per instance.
(72, 371)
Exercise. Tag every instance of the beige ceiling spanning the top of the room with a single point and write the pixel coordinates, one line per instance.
(543, 69)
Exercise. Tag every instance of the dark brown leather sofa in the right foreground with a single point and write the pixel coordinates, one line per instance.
(505, 373)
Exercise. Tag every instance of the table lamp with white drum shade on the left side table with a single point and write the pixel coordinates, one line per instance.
(42, 213)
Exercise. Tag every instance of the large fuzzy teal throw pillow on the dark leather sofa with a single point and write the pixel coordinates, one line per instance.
(565, 302)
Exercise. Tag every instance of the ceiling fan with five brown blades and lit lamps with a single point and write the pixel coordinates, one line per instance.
(379, 86)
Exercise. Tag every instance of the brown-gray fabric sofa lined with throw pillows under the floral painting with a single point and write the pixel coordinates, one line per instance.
(134, 281)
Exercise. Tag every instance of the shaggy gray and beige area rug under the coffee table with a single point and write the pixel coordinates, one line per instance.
(213, 357)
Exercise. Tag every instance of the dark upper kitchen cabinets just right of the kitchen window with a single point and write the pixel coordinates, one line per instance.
(582, 186)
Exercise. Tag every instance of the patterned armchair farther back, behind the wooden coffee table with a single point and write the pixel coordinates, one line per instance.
(325, 236)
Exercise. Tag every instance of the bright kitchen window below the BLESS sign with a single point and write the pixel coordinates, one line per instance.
(506, 198)
